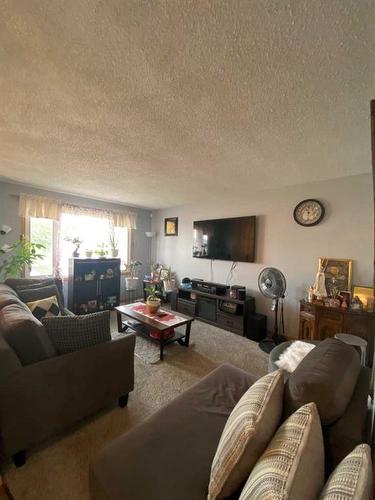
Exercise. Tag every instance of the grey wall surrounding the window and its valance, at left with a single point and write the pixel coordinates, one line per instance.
(9, 198)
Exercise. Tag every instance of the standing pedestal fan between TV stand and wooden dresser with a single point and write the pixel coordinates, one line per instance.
(272, 284)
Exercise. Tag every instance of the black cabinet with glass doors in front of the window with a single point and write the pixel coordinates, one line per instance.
(93, 285)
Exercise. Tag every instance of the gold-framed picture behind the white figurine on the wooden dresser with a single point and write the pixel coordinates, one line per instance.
(338, 274)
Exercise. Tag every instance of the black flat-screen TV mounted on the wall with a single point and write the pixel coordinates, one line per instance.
(225, 239)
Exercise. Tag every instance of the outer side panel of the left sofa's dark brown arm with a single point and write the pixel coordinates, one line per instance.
(45, 397)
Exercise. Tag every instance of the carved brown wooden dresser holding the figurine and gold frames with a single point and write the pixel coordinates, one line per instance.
(317, 322)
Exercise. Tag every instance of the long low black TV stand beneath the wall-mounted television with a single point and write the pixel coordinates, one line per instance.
(218, 310)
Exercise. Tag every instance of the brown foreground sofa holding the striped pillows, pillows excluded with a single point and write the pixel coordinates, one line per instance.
(169, 456)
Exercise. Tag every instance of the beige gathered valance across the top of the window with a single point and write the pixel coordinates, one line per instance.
(49, 208)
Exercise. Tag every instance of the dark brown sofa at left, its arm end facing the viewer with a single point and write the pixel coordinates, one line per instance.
(42, 393)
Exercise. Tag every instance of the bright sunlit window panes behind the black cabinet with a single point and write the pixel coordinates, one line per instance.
(93, 231)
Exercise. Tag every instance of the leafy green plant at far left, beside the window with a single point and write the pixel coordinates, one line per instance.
(16, 257)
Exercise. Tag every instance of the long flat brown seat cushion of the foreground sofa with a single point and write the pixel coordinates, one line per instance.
(175, 447)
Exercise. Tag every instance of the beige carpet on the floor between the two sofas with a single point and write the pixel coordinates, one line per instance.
(58, 470)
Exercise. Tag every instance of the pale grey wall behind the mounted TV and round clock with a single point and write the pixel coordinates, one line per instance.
(345, 232)
